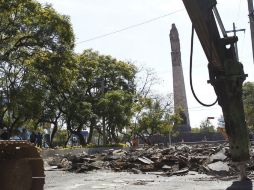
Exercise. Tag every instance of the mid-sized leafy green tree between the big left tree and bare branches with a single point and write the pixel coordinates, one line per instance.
(107, 85)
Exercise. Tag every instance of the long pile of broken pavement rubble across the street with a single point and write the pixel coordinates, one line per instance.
(178, 160)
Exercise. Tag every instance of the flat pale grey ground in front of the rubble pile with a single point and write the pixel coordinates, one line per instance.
(60, 180)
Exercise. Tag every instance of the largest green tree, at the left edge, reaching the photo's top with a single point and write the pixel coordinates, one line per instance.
(35, 41)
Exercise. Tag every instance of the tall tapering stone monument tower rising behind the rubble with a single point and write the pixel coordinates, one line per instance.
(180, 101)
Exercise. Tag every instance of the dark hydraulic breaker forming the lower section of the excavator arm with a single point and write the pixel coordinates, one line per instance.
(228, 88)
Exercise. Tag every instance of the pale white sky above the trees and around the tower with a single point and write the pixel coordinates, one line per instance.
(149, 43)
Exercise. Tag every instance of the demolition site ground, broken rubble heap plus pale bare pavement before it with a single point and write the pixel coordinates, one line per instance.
(113, 169)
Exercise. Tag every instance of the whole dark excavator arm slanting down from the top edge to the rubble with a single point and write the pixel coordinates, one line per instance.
(225, 72)
